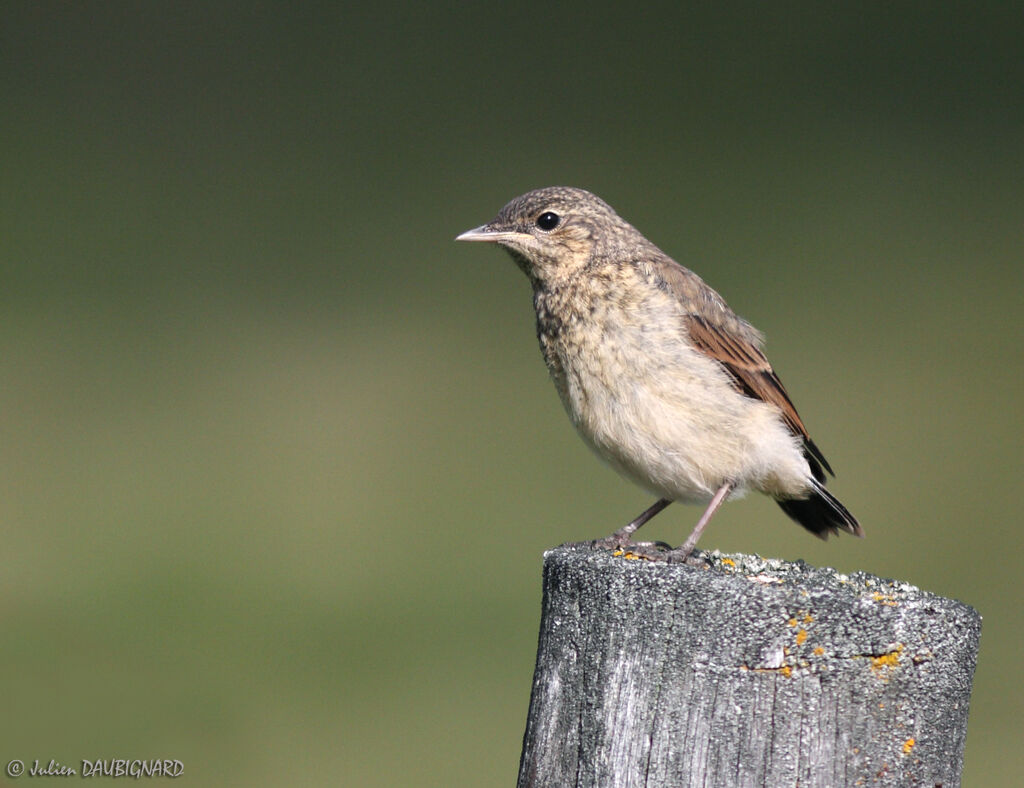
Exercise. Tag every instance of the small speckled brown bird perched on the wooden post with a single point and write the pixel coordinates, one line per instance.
(659, 376)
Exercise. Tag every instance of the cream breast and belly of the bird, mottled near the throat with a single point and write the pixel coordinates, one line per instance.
(648, 402)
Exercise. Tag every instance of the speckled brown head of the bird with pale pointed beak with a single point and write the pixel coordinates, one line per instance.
(553, 233)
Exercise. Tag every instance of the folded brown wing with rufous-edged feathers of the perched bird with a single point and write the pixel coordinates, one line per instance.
(718, 333)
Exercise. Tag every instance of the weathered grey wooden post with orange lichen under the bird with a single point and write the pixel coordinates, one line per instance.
(745, 673)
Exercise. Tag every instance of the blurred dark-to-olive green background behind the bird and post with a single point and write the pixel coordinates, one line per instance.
(280, 460)
